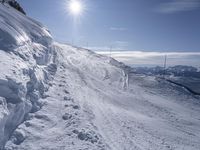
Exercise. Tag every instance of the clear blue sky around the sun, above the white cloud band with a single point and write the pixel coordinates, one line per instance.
(140, 25)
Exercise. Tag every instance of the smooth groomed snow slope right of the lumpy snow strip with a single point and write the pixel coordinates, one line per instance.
(150, 115)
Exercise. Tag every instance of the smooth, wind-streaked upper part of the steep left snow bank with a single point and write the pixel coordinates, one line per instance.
(17, 29)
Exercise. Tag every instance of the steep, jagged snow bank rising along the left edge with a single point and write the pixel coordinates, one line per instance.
(25, 46)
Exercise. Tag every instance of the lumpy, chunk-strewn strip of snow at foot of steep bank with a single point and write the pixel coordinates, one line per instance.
(60, 124)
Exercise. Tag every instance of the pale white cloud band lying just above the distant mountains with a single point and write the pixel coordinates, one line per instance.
(139, 58)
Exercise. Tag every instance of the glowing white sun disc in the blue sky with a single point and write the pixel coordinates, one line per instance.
(75, 7)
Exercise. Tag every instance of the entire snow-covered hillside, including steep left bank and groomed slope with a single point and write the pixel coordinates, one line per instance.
(59, 97)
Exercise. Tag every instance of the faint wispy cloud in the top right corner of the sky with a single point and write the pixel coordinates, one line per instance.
(178, 6)
